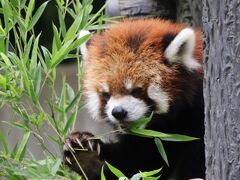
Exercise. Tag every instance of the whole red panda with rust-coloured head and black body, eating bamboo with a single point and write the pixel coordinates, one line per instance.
(132, 69)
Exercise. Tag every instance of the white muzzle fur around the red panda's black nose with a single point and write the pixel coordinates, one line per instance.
(136, 108)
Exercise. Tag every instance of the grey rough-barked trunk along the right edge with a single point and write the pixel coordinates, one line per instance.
(221, 25)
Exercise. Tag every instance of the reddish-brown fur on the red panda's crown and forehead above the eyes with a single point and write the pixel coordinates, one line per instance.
(132, 49)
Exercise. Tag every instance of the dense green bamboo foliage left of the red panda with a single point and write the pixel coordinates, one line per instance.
(26, 69)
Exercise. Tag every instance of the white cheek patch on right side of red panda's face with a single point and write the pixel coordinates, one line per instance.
(160, 97)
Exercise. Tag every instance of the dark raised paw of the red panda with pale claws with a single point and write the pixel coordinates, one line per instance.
(81, 149)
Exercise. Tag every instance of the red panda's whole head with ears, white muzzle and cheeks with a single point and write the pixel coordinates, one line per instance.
(136, 67)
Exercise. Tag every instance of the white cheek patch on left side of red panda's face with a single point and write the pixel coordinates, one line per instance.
(93, 104)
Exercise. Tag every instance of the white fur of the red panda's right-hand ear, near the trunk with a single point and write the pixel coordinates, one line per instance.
(175, 54)
